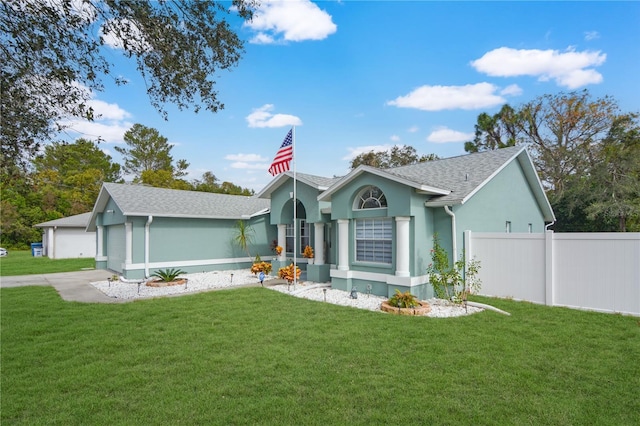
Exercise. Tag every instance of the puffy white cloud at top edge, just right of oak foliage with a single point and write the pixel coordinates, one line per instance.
(290, 21)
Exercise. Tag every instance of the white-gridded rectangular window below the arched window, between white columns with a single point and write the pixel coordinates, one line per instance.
(374, 240)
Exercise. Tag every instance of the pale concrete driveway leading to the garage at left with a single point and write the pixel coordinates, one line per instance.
(72, 286)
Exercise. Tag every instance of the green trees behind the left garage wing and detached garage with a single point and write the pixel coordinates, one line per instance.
(65, 180)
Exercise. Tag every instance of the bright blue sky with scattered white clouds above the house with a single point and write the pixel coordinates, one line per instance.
(359, 75)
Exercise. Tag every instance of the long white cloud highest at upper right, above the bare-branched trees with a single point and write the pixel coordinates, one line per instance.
(569, 69)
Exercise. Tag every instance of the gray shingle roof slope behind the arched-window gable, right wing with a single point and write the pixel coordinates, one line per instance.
(461, 175)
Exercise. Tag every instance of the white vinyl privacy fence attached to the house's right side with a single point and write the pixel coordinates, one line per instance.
(593, 271)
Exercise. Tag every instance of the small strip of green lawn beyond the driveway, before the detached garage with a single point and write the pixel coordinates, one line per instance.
(22, 263)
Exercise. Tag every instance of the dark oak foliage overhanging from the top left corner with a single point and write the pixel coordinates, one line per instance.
(55, 53)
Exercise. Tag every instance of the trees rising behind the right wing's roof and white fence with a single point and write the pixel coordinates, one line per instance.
(586, 152)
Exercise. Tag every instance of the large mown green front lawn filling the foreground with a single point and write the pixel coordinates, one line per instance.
(256, 356)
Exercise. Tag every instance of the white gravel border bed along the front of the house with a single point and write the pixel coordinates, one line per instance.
(204, 281)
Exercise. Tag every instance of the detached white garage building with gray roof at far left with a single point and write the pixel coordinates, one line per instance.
(68, 238)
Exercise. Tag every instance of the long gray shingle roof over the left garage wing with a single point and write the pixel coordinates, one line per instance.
(140, 200)
